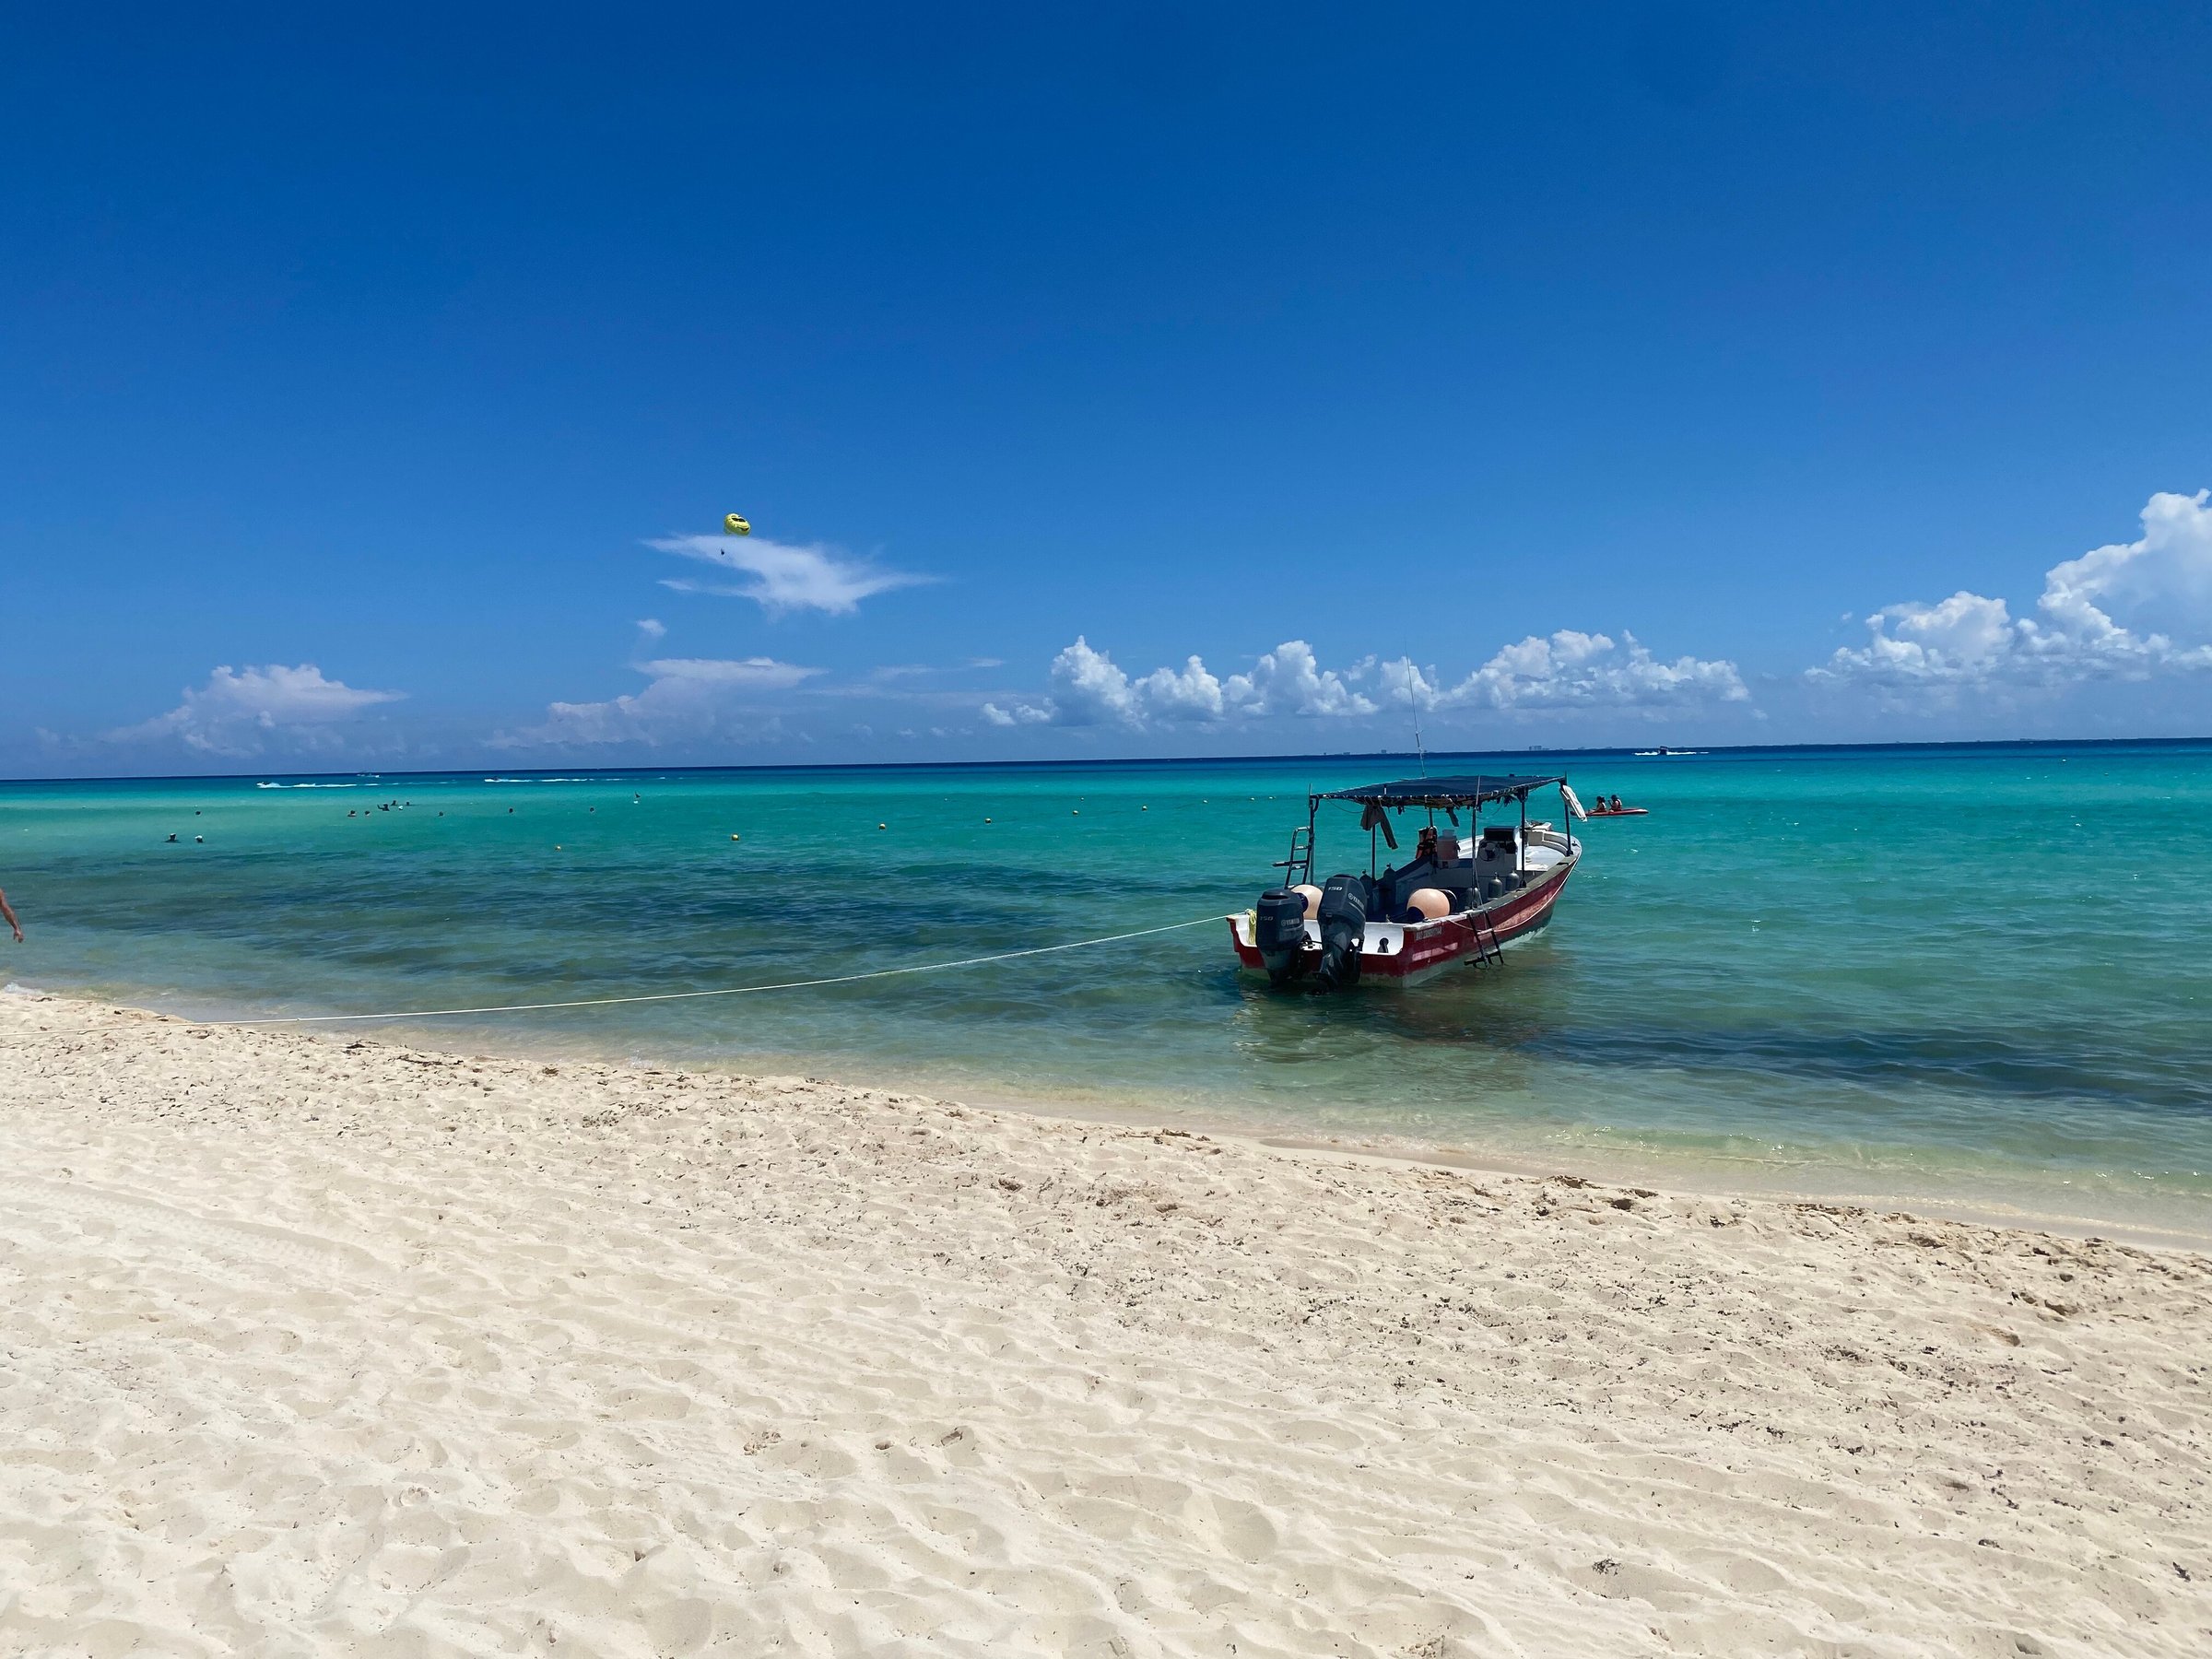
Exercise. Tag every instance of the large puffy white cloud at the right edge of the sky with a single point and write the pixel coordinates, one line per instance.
(2100, 616)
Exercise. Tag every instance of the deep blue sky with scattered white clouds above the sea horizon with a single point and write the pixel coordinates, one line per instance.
(1574, 375)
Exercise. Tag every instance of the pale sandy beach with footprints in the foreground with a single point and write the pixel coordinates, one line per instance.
(348, 1348)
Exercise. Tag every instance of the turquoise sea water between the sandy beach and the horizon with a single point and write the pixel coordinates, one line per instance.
(1965, 977)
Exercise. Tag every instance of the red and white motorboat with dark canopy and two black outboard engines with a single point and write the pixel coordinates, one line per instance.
(1459, 901)
